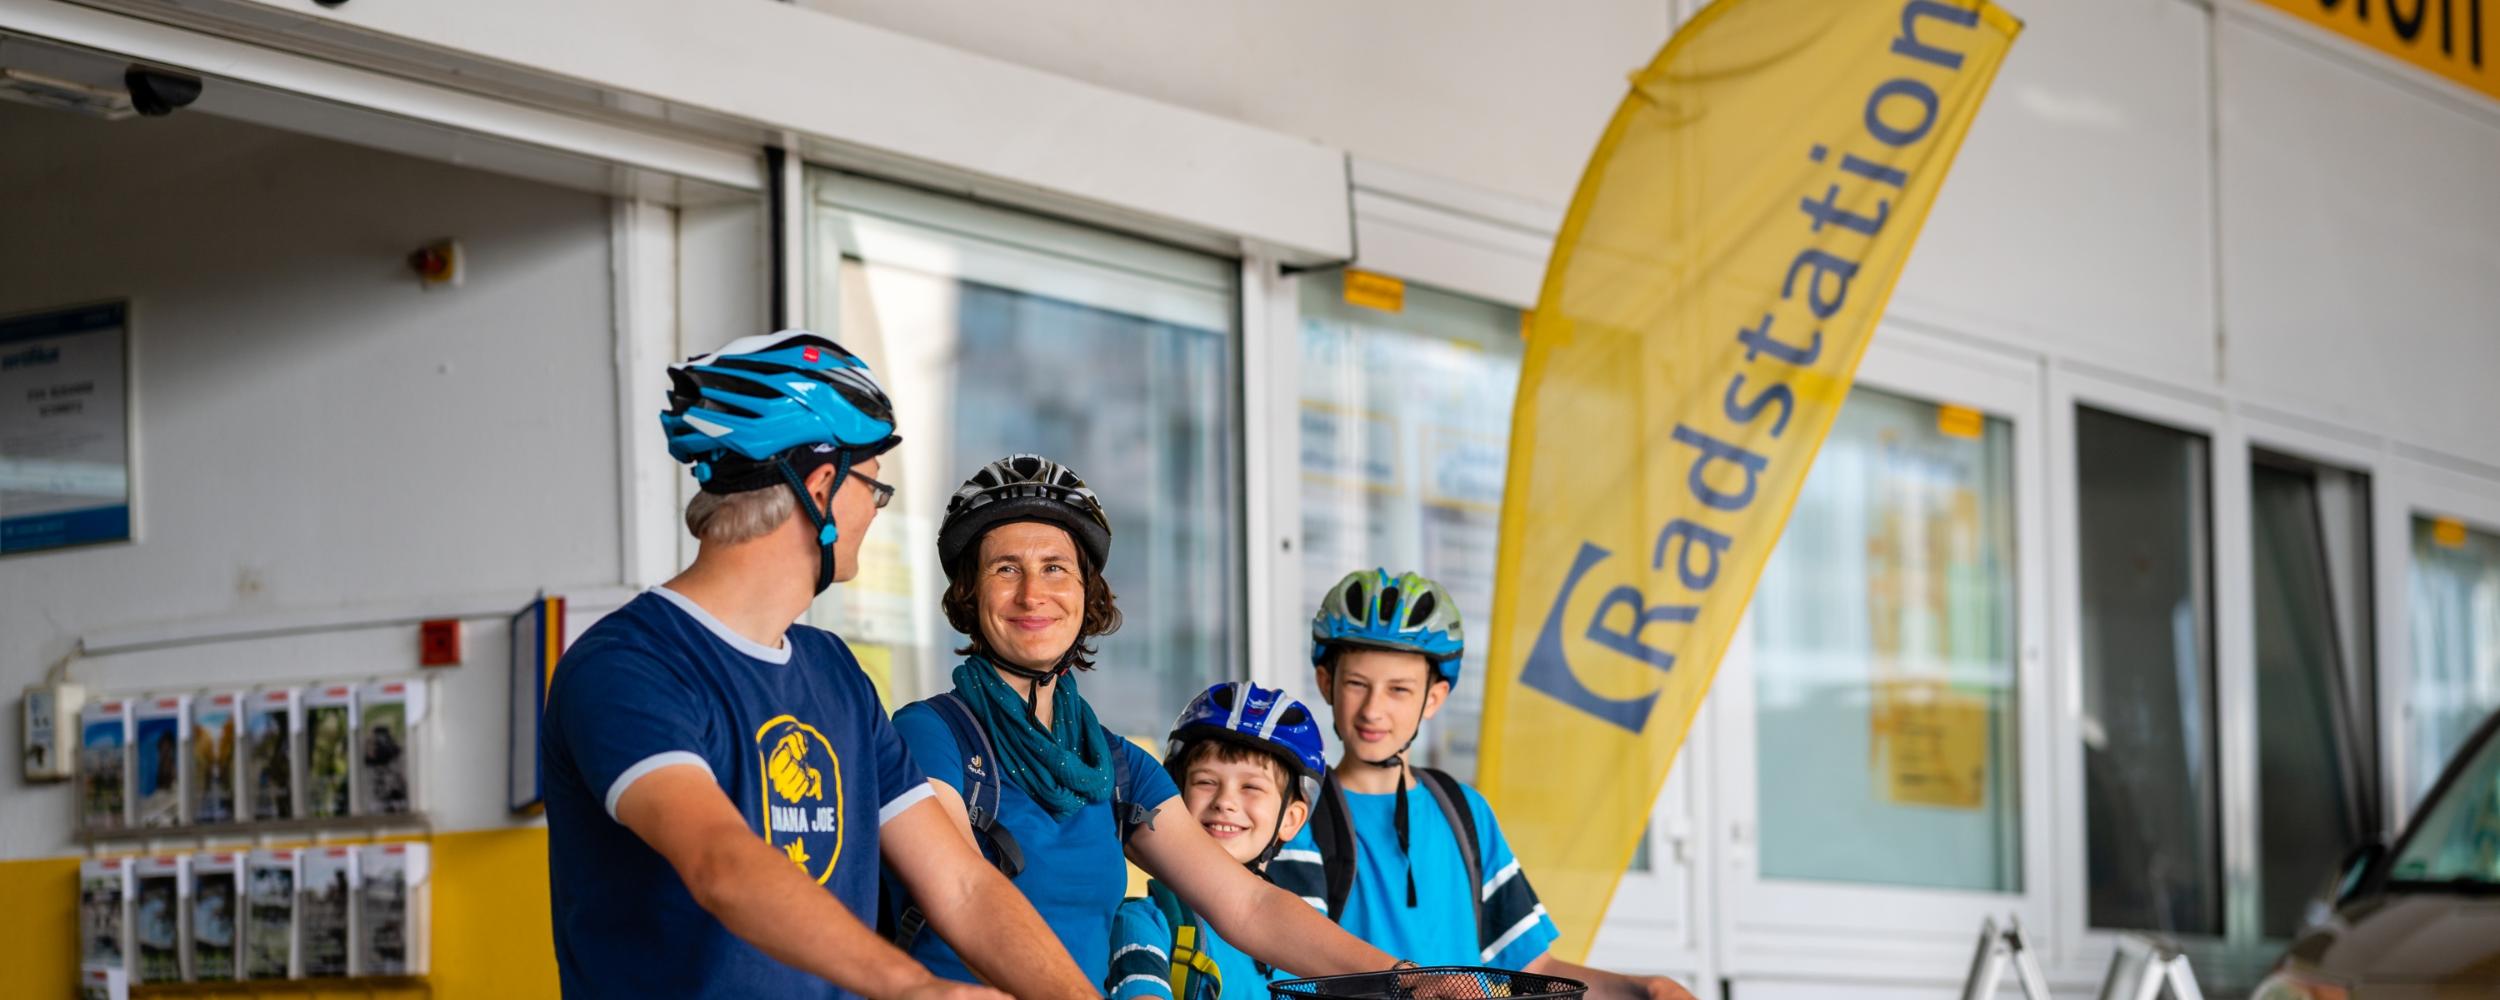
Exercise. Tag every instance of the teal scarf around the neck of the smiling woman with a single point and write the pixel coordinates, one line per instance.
(1066, 766)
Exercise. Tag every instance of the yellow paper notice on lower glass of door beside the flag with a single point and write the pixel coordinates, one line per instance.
(1931, 746)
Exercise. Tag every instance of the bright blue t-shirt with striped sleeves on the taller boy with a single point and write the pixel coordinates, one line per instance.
(1441, 926)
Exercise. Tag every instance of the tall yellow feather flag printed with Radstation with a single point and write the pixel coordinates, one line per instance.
(1719, 276)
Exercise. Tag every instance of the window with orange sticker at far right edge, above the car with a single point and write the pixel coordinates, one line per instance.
(2456, 641)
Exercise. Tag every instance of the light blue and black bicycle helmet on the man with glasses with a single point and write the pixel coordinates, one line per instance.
(774, 409)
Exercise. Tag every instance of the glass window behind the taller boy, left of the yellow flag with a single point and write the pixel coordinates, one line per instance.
(1406, 439)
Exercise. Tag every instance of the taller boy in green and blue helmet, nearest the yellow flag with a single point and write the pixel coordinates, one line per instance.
(1411, 859)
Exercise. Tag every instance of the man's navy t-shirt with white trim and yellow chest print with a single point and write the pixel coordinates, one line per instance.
(794, 736)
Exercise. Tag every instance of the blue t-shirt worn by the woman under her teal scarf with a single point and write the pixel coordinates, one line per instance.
(1074, 871)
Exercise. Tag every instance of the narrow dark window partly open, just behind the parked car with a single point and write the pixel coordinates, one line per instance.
(2316, 709)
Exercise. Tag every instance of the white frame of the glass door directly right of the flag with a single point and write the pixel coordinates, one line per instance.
(1849, 934)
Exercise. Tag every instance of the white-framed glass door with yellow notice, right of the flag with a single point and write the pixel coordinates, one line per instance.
(1881, 704)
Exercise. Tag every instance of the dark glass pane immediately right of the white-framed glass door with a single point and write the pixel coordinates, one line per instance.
(2154, 834)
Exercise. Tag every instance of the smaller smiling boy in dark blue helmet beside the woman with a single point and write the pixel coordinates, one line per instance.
(1249, 764)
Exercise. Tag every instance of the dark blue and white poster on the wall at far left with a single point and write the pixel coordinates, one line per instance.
(64, 429)
